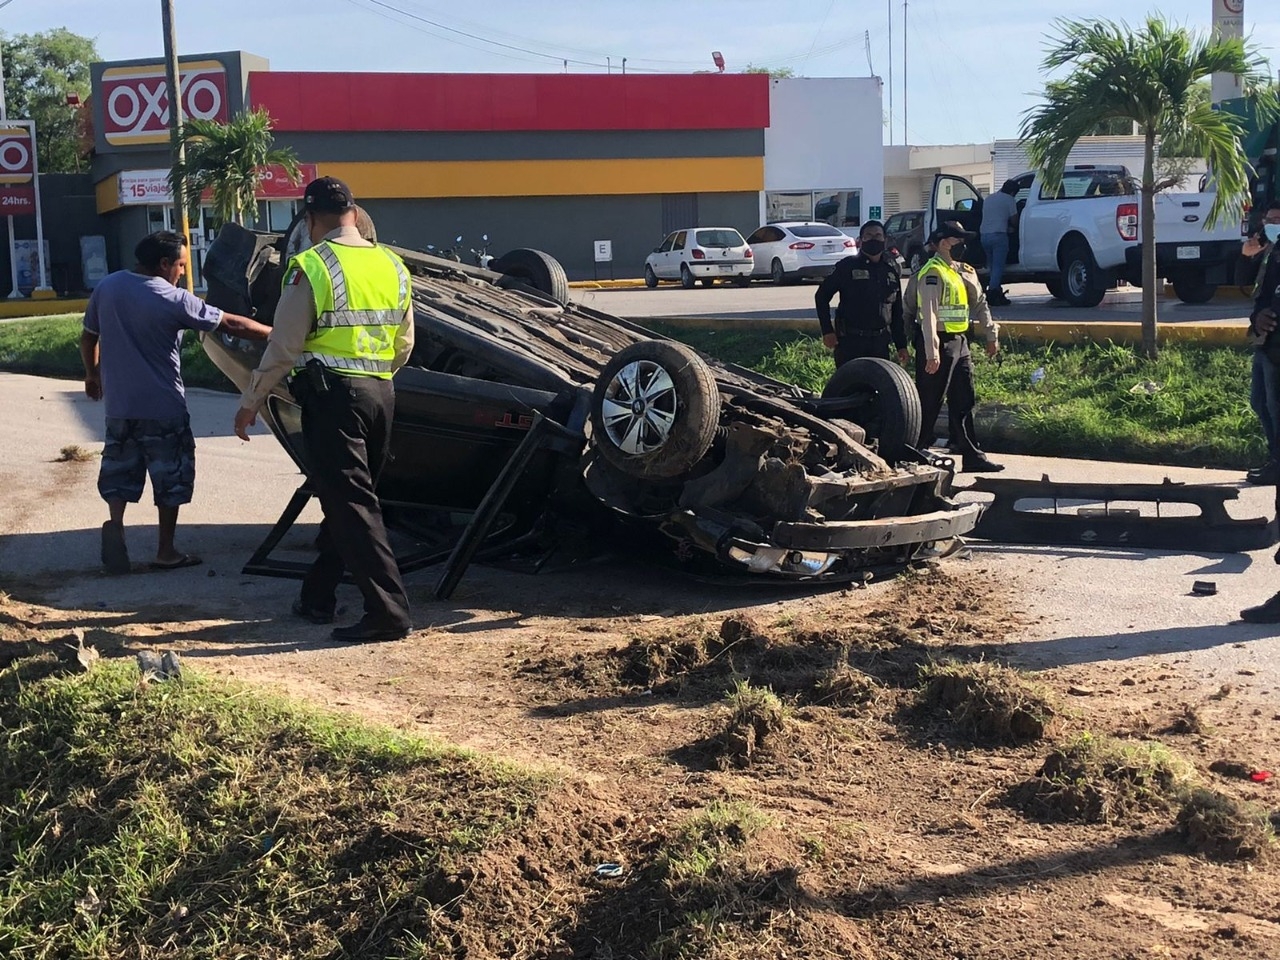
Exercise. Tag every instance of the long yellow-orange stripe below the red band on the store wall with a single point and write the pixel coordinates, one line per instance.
(550, 179)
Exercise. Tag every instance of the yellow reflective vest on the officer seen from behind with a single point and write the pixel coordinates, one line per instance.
(362, 295)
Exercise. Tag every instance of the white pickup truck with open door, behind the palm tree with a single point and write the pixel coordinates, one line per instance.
(1084, 239)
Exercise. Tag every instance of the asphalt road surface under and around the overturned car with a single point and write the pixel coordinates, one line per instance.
(1096, 605)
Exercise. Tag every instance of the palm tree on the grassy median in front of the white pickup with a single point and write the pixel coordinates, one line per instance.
(1146, 76)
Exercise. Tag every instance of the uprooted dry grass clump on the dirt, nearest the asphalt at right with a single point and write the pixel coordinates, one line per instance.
(989, 702)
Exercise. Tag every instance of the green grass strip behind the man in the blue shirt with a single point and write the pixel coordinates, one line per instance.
(49, 346)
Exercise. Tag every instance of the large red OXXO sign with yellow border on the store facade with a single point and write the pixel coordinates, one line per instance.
(136, 100)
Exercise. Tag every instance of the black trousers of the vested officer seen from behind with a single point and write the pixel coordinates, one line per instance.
(348, 431)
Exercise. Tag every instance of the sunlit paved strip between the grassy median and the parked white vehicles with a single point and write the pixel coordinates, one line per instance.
(764, 301)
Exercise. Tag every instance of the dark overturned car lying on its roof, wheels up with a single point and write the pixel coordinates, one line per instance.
(534, 419)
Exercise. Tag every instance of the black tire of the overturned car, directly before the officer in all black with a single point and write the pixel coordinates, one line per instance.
(890, 410)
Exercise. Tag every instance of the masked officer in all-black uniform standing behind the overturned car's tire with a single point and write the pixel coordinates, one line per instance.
(871, 301)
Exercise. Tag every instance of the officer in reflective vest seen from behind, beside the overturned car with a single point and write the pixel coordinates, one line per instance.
(344, 326)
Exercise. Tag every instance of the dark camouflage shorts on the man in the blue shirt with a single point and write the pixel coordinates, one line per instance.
(163, 449)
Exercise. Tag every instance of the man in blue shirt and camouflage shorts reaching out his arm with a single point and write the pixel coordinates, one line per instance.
(131, 351)
